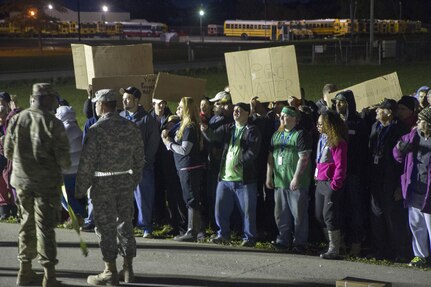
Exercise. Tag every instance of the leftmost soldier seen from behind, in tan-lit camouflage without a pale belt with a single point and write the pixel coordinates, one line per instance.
(37, 145)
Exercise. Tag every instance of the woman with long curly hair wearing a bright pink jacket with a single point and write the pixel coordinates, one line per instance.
(330, 175)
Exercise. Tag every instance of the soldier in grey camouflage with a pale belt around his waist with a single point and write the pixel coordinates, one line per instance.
(110, 168)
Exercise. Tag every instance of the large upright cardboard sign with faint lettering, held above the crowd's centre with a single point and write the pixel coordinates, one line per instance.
(270, 74)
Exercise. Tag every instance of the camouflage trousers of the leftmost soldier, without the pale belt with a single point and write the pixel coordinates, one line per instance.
(39, 213)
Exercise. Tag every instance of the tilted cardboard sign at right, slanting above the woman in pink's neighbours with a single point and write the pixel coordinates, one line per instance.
(374, 91)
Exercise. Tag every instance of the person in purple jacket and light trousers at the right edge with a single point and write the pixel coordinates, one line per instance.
(414, 150)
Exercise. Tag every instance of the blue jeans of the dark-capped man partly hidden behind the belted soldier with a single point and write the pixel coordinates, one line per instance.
(144, 197)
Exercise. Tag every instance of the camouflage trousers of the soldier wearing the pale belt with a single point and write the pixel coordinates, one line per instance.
(113, 205)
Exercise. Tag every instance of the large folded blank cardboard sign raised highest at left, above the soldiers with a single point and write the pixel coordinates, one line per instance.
(105, 61)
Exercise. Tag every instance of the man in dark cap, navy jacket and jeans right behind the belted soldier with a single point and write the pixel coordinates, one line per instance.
(144, 192)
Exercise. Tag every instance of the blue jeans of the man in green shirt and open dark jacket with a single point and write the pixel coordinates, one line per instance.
(244, 196)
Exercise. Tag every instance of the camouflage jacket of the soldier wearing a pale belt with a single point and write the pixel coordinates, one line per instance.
(112, 144)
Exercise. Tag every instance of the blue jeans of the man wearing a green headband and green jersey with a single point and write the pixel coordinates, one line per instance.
(291, 216)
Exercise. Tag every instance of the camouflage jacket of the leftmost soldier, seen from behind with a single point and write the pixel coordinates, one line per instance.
(37, 144)
